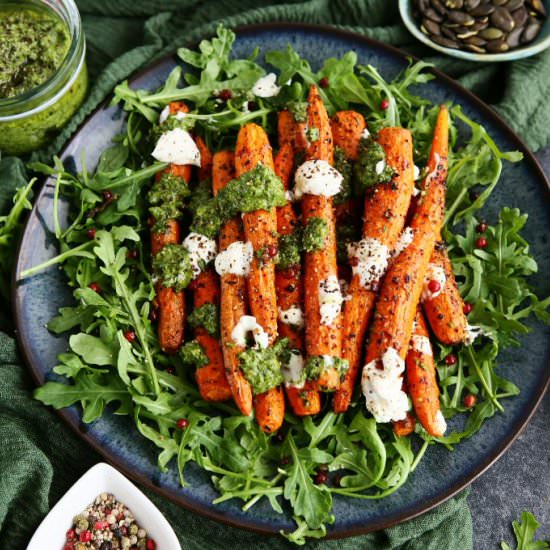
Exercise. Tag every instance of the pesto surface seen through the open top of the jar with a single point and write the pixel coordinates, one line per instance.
(33, 43)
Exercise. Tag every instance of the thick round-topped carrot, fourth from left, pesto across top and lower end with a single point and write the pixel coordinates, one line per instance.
(260, 228)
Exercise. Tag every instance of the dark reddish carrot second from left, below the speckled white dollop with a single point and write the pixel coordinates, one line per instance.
(211, 379)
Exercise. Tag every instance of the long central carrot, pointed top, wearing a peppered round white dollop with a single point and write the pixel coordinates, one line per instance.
(320, 265)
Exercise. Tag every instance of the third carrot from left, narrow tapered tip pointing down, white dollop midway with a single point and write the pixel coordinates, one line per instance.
(233, 291)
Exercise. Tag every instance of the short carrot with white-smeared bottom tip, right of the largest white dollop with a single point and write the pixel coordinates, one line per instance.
(422, 380)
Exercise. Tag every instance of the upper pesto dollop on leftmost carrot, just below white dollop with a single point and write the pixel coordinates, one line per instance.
(167, 199)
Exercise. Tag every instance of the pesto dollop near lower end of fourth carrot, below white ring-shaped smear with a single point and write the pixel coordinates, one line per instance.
(262, 367)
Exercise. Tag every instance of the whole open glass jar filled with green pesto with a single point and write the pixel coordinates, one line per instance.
(43, 76)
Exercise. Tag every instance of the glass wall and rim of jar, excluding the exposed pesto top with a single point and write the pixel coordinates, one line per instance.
(30, 120)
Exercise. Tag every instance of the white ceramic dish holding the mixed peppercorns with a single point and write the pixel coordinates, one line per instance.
(102, 478)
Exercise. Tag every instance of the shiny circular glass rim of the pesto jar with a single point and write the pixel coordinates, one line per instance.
(63, 77)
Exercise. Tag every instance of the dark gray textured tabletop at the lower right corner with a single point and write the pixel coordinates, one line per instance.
(520, 480)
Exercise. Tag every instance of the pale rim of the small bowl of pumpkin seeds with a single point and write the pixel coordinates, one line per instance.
(521, 53)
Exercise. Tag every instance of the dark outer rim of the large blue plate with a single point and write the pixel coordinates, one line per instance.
(210, 511)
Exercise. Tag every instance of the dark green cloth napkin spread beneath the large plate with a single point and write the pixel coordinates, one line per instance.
(39, 456)
